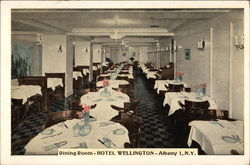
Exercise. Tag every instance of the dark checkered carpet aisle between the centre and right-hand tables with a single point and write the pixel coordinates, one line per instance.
(157, 131)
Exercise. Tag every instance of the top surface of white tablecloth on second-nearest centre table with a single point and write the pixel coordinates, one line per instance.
(115, 98)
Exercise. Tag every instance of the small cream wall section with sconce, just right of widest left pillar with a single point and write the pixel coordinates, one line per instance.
(81, 56)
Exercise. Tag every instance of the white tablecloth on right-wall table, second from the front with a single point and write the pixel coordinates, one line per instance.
(172, 99)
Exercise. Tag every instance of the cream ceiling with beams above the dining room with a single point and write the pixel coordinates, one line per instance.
(143, 23)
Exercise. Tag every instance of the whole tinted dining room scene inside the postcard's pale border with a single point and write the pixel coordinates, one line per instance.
(128, 78)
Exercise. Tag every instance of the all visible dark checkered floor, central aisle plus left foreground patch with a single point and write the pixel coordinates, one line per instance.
(157, 129)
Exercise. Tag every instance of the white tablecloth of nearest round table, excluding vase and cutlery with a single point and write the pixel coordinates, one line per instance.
(99, 130)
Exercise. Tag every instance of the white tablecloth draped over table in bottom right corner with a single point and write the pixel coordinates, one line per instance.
(217, 137)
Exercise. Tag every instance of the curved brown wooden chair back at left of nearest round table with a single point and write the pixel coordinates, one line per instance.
(58, 117)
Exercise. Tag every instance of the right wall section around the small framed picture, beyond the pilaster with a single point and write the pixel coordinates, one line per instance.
(196, 70)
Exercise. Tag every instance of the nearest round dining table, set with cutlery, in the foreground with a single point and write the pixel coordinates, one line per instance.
(74, 134)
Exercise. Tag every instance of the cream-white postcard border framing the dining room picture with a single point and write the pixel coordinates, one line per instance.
(5, 84)
